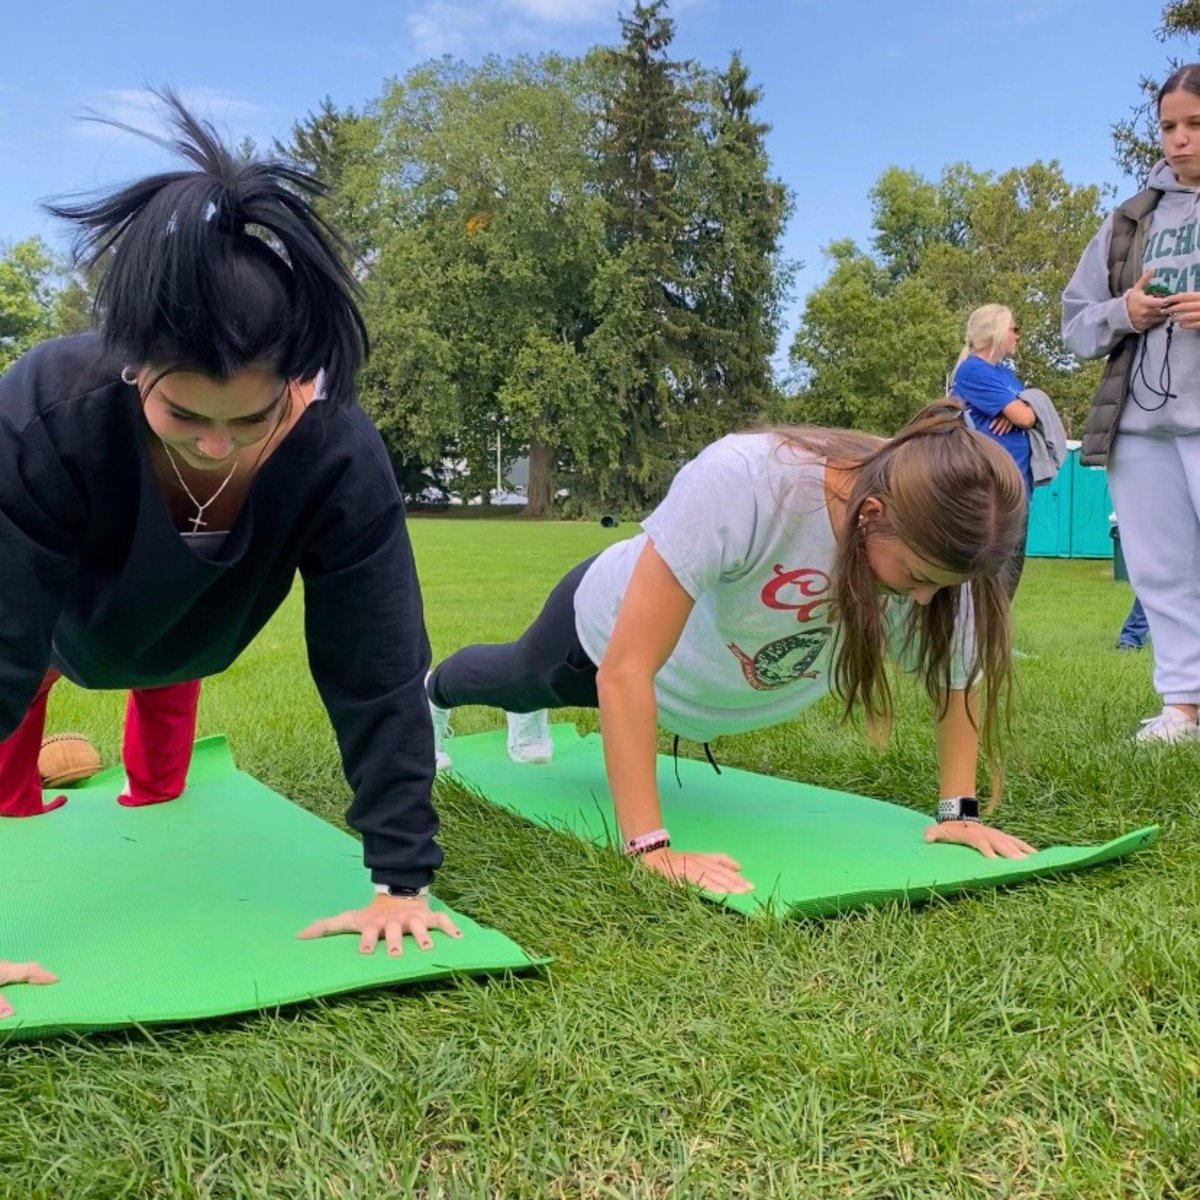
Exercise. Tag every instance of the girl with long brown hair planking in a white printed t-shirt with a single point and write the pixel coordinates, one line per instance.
(782, 566)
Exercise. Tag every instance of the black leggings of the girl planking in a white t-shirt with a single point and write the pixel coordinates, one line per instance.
(545, 668)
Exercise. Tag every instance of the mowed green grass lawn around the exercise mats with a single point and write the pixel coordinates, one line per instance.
(1042, 1041)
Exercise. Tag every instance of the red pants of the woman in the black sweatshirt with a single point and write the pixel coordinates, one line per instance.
(160, 729)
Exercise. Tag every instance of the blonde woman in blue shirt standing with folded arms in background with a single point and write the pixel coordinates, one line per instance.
(992, 393)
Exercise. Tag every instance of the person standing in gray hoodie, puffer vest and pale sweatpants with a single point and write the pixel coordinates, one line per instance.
(1136, 298)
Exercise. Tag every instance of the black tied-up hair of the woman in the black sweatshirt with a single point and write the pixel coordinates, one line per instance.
(224, 267)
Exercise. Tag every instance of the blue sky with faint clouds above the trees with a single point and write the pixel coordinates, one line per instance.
(850, 88)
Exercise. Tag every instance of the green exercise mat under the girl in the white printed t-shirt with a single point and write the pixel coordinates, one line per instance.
(807, 849)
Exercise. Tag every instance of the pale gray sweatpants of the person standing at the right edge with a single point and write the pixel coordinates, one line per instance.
(1155, 484)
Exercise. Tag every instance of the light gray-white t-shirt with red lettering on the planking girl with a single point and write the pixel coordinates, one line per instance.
(746, 531)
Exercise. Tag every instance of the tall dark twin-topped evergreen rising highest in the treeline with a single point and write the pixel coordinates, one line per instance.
(689, 309)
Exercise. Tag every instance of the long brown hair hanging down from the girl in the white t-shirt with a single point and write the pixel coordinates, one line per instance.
(957, 500)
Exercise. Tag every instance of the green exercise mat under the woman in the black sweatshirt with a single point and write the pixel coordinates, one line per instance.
(190, 910)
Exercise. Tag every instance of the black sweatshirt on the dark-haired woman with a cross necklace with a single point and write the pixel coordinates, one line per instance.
(95, 579)
